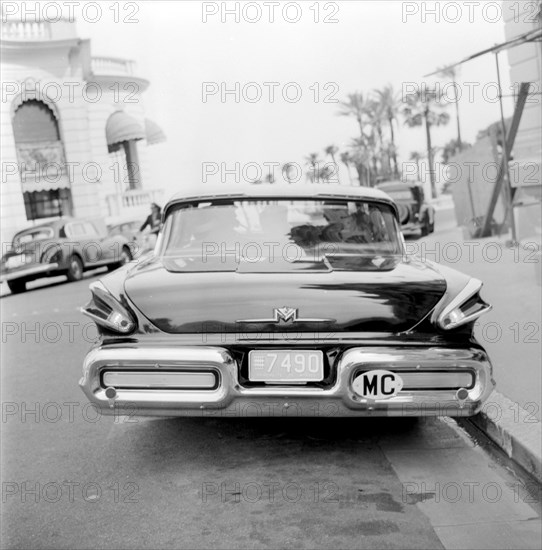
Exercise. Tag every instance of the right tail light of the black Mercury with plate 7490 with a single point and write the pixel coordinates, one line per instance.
(466, 307)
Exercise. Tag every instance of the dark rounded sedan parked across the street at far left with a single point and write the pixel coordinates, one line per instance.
(67, 246)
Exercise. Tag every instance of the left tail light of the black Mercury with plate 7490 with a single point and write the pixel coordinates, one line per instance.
(105, 310)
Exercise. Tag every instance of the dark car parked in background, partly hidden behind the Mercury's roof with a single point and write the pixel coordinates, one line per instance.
(415, 214)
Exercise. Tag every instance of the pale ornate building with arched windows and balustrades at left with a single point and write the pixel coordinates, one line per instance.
(75, 139)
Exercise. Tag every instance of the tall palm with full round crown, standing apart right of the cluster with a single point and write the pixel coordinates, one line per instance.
(422, 108)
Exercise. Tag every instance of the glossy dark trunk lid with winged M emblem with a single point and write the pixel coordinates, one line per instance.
(315, 296)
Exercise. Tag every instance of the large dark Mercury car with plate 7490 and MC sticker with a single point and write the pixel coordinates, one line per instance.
(275, 300)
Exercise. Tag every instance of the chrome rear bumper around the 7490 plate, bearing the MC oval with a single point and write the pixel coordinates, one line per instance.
(229, 398)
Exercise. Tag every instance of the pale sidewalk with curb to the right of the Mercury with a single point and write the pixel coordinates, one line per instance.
(510, 333)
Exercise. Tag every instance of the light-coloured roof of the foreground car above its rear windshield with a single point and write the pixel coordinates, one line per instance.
(305, 191)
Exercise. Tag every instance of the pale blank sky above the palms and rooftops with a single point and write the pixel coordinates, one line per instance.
(183, 52)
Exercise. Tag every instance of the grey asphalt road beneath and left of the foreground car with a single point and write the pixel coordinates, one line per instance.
(74, 479)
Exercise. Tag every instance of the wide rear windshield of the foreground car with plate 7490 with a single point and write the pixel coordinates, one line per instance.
(225, 235)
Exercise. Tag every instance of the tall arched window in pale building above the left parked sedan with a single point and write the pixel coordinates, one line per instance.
(42, 167)
